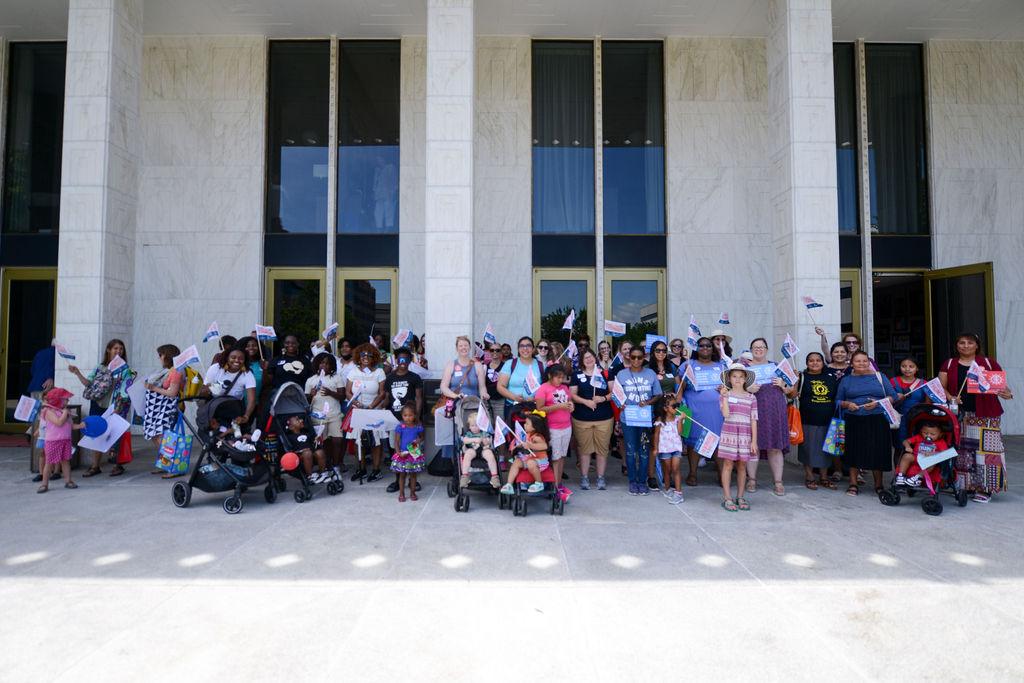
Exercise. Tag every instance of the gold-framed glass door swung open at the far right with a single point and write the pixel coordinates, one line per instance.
(959, 301)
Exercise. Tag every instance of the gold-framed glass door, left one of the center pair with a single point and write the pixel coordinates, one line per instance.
(557, 292)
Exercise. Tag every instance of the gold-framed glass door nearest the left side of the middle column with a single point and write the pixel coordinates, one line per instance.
(367, 305)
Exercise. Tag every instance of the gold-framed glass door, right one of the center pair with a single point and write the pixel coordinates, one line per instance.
(636, 298)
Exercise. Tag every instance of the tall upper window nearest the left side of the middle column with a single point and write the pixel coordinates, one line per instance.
(369, 78)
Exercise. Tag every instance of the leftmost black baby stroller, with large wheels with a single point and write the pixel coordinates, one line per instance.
(227, 463)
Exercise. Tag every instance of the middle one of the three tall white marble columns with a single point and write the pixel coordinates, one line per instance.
(449, 252)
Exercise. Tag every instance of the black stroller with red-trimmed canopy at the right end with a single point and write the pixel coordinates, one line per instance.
(949, 482)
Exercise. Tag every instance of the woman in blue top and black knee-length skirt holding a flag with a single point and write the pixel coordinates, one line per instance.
(867, 399)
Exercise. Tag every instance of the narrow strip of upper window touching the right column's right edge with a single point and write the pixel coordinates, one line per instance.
(847, 148)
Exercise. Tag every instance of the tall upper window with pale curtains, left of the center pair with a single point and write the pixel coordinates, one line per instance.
(564, 138)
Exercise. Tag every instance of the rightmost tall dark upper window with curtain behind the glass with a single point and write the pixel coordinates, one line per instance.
(897, 133)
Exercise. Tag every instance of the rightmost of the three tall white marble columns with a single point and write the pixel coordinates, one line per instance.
(802, 149)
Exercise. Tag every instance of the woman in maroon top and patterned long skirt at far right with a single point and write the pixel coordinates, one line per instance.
(982, 455)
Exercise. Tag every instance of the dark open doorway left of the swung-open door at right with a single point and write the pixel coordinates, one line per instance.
(901, 329)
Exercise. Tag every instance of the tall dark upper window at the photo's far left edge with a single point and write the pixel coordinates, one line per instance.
(35, 135)
